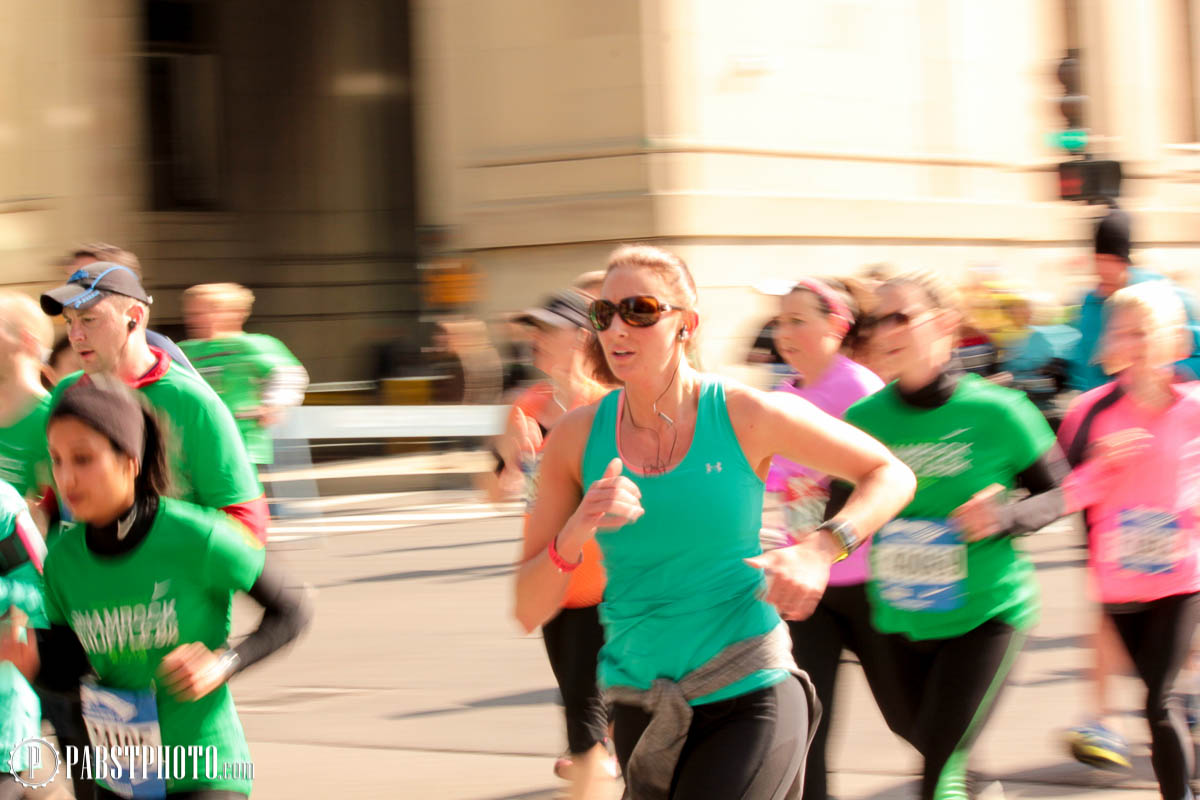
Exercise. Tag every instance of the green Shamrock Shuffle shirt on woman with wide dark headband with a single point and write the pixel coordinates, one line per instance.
(130, 611)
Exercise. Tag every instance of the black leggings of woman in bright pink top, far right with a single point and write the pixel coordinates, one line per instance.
(1159, 637)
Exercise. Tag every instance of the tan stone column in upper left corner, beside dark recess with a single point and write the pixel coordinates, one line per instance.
(70, 131)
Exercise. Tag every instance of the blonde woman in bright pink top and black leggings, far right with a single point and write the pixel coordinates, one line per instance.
(1137, 443)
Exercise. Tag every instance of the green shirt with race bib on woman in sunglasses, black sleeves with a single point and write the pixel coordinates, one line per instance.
(985, 435)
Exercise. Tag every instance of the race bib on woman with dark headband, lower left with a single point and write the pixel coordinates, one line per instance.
(125, 724)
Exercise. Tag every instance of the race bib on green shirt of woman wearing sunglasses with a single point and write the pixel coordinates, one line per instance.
(921, 566)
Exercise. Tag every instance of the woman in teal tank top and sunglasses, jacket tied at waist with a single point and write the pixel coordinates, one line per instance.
(667, 474)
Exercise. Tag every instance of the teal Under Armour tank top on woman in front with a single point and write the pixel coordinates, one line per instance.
(679, 591)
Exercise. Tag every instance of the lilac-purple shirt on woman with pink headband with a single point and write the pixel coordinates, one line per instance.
(844, 384)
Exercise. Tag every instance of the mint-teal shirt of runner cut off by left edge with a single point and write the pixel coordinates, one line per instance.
(21, 712)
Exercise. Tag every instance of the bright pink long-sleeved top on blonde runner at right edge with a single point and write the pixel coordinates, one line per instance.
(1143, 540)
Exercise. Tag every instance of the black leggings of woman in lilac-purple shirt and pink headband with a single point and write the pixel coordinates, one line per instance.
(843, 621)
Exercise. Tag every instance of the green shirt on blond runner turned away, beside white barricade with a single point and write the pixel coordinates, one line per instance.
(238, 369)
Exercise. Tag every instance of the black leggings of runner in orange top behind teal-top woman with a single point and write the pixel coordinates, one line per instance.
(573, 642)
